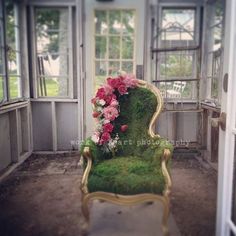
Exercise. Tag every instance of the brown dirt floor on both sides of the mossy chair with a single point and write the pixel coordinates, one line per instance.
(42, 197)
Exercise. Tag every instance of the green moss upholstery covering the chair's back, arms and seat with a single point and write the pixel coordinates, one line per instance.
(137, 165)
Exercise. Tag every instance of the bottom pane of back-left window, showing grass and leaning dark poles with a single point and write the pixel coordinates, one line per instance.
(53, 86)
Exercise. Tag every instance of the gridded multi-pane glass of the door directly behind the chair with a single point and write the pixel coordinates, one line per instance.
(114, 43)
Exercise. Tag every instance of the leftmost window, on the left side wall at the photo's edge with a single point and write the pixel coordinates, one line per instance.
(10, 53)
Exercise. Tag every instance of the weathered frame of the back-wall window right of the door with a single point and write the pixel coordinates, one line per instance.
(194, 88)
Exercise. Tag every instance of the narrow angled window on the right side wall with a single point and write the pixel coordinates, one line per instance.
(214, 63)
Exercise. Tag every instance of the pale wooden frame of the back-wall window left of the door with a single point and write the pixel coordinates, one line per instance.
(35, 74)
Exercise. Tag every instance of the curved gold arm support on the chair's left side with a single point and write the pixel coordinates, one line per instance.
(86, 154)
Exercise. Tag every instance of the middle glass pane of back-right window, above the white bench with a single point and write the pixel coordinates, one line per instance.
(176, 65)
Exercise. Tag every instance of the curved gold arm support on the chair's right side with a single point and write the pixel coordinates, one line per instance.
(165, 158)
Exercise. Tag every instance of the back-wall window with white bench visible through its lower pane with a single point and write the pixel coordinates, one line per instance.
(175, 55)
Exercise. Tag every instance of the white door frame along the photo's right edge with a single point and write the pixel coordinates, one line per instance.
(227, 138)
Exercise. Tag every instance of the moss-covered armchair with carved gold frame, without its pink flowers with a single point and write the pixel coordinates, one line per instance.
(139, 172)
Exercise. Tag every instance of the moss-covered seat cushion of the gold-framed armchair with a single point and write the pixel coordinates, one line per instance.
(126, 175)
